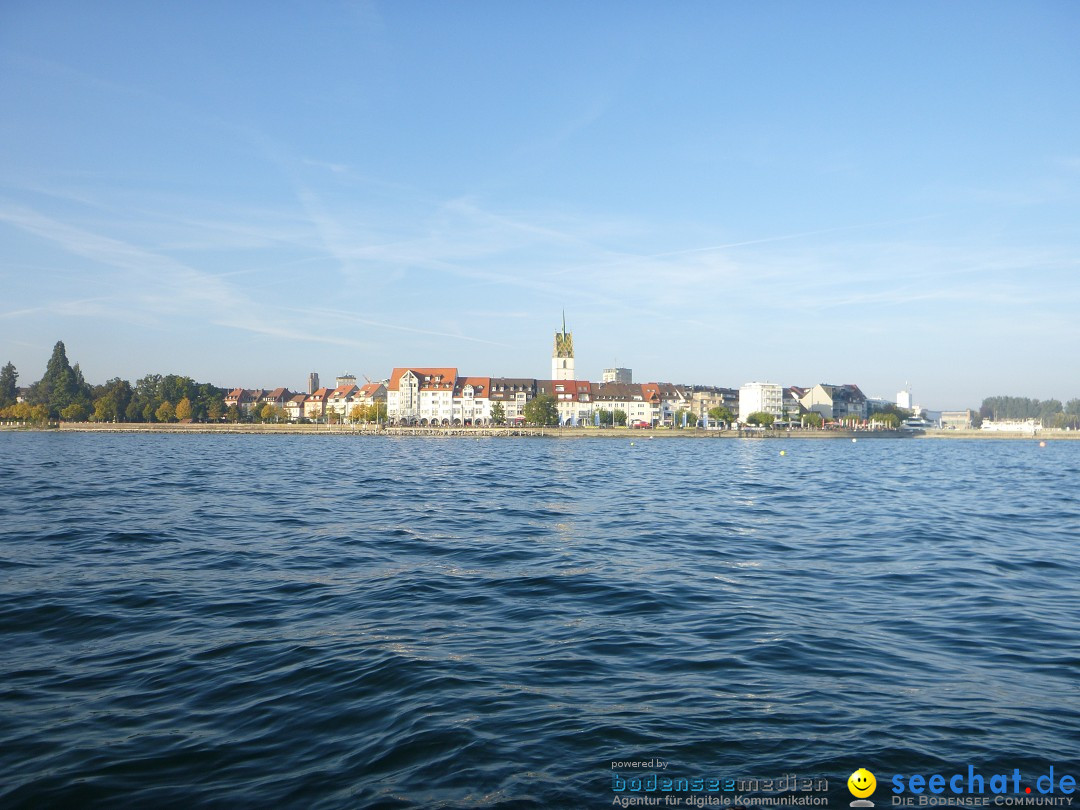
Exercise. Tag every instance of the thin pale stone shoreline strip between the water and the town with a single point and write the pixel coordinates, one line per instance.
(518, 433)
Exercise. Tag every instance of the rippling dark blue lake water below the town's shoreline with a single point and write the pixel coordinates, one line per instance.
(294, 622)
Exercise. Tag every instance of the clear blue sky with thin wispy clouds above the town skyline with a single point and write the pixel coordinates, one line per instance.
(715, 193)
